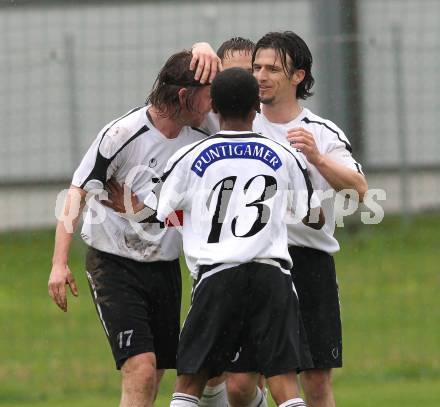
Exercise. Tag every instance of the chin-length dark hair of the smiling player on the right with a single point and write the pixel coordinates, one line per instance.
(287, 43)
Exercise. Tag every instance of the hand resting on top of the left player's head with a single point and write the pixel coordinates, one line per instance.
(205, 61)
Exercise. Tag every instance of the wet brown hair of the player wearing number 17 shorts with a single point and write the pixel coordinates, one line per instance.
(173, 76)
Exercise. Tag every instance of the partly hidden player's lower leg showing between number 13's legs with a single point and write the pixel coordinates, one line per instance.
(243, 390)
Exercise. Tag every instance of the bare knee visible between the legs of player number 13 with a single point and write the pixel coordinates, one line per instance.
(241, 388)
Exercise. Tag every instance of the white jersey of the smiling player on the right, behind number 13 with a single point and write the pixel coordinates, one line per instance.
(331, 141)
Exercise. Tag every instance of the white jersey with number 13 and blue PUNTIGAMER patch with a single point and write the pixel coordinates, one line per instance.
(235, 189)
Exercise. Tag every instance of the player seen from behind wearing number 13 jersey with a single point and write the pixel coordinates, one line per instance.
(235, 189)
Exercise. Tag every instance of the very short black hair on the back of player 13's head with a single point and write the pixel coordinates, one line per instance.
(234, 93)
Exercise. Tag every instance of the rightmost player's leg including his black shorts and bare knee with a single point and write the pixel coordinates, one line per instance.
(314, 277)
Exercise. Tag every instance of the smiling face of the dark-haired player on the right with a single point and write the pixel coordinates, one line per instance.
(275, 85)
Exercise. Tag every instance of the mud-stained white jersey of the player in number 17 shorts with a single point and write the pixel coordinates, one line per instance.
(132, 151)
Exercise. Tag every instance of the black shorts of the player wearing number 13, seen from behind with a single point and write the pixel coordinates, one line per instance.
(252, 305)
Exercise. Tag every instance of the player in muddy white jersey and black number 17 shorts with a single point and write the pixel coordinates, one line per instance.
(133, 272)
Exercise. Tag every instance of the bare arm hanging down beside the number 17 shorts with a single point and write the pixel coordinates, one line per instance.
(60, 275)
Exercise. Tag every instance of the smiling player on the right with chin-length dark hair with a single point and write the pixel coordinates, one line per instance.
(282, 65)
